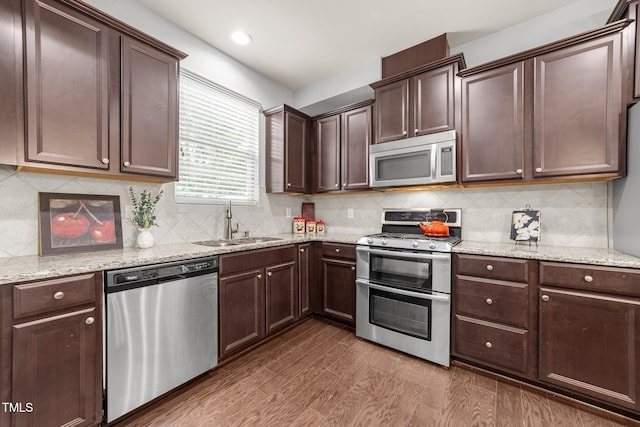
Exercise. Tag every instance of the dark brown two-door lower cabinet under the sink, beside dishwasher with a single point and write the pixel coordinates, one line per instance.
(258, 295)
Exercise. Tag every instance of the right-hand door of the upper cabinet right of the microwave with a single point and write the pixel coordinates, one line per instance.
(578, 104)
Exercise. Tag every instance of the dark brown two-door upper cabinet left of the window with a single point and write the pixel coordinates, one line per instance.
(101, 97)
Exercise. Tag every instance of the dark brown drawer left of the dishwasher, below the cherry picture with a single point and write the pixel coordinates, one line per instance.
(51, 295)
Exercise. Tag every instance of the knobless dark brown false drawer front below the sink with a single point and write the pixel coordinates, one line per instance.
(242, 261)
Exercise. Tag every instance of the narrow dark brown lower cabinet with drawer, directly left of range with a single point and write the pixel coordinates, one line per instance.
(339, 282)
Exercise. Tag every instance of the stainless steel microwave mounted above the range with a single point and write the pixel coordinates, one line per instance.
(427, 159)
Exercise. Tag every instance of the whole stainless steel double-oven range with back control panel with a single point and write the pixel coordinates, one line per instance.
(403, 298)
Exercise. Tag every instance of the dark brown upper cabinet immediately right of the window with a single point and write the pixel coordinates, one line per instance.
(287, 150)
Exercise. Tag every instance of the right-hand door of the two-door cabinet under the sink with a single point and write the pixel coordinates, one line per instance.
(281, 302)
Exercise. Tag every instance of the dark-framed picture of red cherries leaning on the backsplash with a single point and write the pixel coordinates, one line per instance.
(78, 223)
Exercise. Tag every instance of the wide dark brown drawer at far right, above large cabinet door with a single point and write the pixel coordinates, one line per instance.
(623, 281)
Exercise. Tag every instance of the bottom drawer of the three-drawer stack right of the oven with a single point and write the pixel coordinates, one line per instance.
(498, 345)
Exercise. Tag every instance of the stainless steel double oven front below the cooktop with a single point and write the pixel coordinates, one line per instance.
(403, 301)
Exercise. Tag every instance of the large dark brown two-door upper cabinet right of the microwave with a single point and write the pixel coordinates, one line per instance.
(554, 112)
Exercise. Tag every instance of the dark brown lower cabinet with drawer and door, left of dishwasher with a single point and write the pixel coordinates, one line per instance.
(51, 352)
